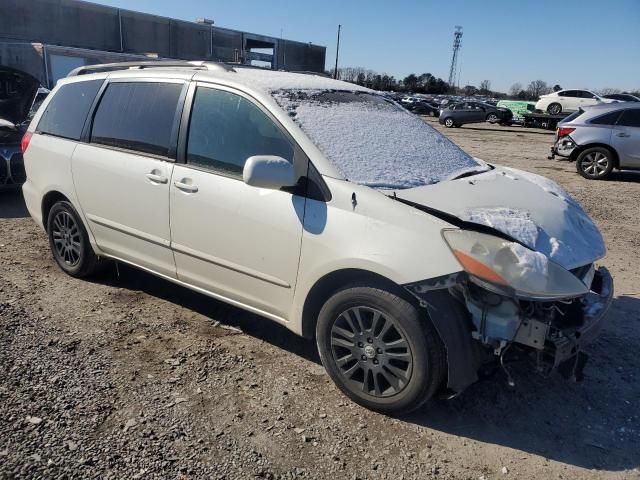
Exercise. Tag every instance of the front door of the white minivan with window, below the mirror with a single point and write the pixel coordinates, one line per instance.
(239, 242)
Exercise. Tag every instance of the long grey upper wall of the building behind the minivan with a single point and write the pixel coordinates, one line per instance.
(85, 25)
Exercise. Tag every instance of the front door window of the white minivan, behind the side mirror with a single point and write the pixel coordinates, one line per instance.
(226, 129)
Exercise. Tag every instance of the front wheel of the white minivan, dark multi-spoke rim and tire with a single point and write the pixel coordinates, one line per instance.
(380, 350)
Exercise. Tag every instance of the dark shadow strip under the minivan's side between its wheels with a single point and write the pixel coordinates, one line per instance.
(256, 326)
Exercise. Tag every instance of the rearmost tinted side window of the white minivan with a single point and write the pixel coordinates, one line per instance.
(67, 111)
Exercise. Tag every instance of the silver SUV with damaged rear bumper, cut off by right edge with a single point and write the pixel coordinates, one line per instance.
(601, 138)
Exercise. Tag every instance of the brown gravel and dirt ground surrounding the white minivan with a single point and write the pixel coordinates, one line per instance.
(128, 376)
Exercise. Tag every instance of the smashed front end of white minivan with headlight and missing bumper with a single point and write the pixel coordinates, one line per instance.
(514, 301)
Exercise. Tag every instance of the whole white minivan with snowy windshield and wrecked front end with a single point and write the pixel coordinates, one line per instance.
(322, 206)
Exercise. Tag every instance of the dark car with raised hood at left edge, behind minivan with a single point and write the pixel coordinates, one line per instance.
(20, 96)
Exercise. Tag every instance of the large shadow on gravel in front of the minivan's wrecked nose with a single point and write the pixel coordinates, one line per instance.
(594, 424)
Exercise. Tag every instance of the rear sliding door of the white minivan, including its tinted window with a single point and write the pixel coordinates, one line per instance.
(122, 176)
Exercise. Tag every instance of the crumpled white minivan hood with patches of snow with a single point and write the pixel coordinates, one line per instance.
(529, 208)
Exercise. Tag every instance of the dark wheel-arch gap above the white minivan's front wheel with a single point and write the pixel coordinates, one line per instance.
(330, 283)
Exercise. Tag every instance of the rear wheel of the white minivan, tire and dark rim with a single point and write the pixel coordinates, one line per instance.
(69, 241)
